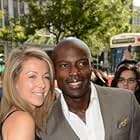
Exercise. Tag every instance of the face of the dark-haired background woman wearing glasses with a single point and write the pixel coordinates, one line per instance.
(128, 80)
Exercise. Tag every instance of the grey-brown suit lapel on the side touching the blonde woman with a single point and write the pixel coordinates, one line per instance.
(58, 122)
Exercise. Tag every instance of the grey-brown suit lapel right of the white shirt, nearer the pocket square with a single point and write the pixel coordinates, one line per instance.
(105, 105)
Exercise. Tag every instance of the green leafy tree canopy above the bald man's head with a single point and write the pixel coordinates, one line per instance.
(94, 21)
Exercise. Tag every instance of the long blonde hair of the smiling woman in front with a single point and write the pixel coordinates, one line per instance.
(10, 97)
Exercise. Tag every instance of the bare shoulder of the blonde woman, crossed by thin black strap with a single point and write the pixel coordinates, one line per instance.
(19, 125)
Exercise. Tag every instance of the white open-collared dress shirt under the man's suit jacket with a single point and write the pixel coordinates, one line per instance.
(93, 129)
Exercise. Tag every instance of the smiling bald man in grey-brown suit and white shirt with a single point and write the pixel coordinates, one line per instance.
(85, 111)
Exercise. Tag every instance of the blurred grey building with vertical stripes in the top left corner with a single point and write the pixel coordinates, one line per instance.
(11, 9)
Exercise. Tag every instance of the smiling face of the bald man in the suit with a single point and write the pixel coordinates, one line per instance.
(73, 71)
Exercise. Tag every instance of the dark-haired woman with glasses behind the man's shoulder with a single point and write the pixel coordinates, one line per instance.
(127, 77)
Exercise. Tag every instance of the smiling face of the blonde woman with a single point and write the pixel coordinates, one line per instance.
(33, 82)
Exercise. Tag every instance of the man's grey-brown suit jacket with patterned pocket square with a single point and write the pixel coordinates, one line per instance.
(120, 112)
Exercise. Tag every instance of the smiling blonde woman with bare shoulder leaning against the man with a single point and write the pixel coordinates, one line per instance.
(28, 97)
